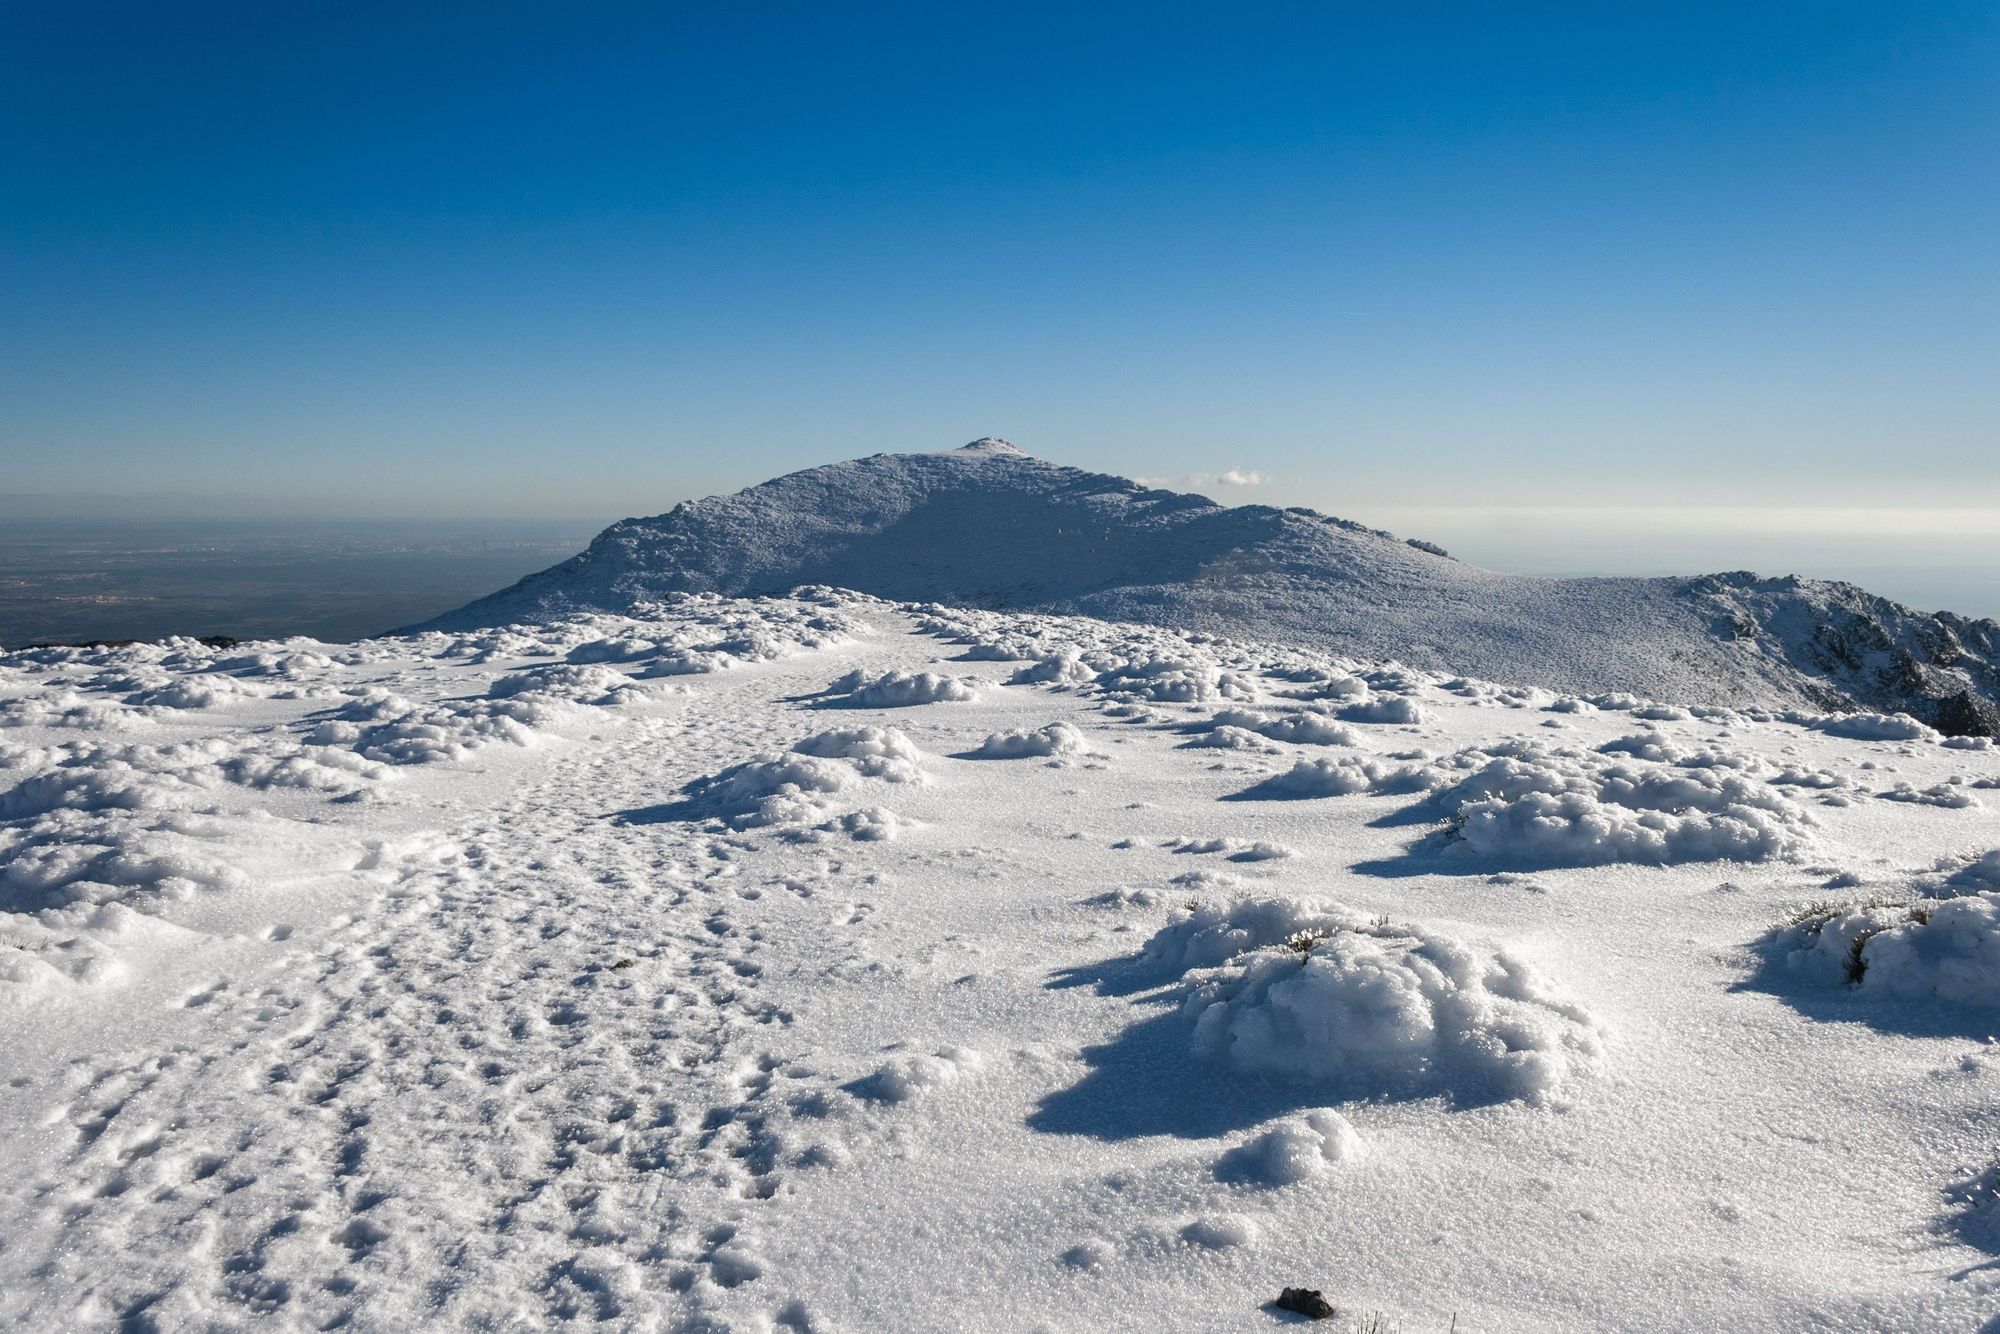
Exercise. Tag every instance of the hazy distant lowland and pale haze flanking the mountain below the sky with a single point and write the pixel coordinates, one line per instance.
(89, 577)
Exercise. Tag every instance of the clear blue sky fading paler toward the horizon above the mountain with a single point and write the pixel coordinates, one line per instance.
(593, 259)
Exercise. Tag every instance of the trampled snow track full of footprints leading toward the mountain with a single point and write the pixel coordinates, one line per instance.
(543, 1041)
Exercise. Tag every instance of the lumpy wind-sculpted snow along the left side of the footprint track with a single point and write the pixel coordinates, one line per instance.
(97, 821)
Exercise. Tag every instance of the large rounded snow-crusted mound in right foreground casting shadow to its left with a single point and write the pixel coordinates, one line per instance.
(1317, 993)
